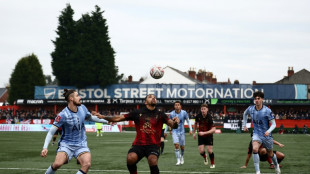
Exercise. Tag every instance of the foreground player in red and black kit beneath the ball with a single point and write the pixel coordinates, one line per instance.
(148, 122)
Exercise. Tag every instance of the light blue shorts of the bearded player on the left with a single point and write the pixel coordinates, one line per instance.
(73, 151)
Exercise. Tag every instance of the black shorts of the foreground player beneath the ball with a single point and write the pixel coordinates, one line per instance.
(144, 151)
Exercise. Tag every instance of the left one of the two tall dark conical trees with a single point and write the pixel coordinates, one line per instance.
(65, 45)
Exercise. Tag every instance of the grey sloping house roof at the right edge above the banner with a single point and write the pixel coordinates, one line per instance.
(300, 77)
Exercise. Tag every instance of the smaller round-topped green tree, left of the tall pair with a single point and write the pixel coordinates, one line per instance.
(26, 75)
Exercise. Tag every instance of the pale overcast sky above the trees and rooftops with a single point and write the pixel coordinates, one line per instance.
(237, 39)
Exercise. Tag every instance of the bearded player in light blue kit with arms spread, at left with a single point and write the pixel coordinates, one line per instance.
(73, 141)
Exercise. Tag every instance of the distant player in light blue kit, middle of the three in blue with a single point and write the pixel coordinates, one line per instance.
(178, 135)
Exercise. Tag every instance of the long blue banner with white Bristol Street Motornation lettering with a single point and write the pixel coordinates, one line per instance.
(170, 91)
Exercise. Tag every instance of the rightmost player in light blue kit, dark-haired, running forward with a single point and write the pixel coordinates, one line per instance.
(261, 117)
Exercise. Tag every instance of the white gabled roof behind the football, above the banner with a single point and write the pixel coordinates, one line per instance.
(171, 76)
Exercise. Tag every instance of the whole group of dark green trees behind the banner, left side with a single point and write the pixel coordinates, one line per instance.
(83, 56)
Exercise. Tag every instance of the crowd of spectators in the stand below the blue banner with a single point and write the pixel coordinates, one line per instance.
(216, 113)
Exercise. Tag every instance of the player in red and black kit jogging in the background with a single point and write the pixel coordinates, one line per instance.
(206, 128)
